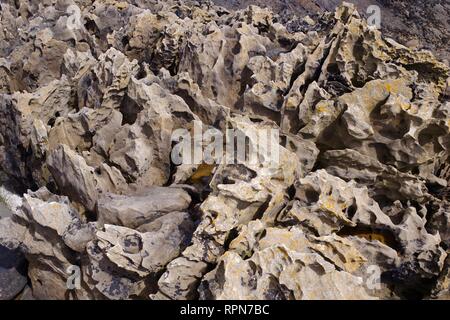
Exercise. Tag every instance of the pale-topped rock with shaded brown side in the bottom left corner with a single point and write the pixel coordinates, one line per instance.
(49, 245)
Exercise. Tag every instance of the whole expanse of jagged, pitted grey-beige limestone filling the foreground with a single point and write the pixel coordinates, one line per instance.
(355, 207)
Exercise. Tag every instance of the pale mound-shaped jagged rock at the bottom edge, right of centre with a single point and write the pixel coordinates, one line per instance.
(283, 266)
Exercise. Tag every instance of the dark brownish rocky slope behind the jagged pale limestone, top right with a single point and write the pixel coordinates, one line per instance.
(417, 24)
